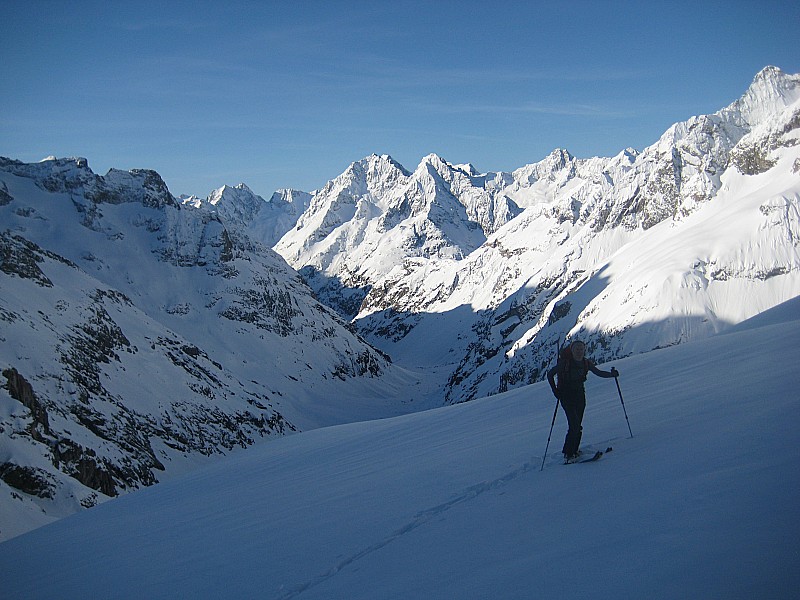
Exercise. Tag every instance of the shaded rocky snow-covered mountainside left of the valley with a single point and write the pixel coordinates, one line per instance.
(140, 335)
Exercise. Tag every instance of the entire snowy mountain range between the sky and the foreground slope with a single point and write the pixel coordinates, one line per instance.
(143, 332)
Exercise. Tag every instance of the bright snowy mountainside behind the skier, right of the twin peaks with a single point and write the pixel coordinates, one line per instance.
(632, 253)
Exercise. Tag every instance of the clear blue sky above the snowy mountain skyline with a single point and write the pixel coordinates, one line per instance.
(288, 94)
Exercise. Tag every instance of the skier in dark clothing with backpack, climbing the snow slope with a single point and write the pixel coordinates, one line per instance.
(572, 369)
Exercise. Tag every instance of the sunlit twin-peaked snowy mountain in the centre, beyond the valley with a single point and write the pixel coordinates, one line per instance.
(376, 216)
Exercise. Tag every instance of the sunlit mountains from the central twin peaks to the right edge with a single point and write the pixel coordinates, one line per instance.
(486, 273)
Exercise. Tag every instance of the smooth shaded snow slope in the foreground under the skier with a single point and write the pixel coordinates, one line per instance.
(451, 503)
